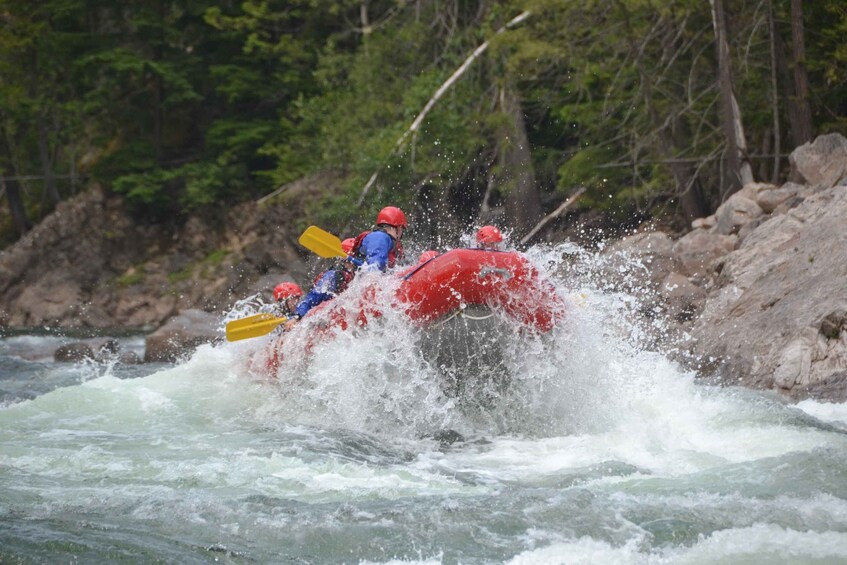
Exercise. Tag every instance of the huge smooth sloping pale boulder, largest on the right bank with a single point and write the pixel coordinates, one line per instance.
(778, 318)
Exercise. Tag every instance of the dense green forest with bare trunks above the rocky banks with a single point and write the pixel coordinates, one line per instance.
(468, 110)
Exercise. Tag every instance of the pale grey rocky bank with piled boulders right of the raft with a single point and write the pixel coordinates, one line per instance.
(761, 286)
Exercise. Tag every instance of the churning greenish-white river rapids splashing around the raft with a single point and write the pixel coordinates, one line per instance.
(392, 445)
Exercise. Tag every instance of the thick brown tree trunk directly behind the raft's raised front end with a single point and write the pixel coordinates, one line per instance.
(523, 205)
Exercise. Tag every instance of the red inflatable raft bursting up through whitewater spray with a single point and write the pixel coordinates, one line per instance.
(504, 282)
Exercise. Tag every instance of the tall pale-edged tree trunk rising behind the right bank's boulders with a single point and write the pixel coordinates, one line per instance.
(739, 171)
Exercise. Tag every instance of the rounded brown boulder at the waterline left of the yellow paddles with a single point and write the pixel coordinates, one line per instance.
(180, 335)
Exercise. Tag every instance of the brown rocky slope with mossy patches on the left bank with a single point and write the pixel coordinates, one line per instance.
(92, 264)
